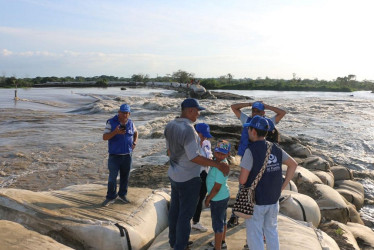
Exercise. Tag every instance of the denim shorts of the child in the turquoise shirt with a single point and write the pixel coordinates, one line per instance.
(218, 214)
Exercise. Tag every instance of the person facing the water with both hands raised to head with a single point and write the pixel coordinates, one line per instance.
(258, 108)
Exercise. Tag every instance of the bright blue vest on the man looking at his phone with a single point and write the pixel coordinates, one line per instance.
(121, 144)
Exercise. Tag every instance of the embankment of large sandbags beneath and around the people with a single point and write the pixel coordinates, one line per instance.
(324, 196)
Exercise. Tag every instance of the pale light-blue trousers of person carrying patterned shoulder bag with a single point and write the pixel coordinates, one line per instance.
(263, 222)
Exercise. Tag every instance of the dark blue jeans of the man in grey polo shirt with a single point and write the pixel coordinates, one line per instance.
(184, 198)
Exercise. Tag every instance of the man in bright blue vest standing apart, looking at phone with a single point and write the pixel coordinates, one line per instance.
(122, 136)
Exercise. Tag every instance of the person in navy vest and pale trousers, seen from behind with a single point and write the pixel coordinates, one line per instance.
(268, 190)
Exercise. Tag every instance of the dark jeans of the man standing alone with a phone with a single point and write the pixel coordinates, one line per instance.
(121, 164)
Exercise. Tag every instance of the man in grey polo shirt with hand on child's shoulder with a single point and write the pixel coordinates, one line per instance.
(182, 143)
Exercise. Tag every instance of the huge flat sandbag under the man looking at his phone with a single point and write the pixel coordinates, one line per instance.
(75, 215)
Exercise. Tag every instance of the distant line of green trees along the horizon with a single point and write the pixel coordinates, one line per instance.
(341, 84)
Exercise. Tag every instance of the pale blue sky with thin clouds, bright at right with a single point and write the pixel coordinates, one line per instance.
(279, 39)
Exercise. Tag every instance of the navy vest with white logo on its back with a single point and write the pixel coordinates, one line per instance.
(268, 189)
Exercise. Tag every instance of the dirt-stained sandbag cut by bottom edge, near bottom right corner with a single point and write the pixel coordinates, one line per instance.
(341, 234)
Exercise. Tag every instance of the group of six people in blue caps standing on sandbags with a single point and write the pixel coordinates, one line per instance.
(198, 175)
